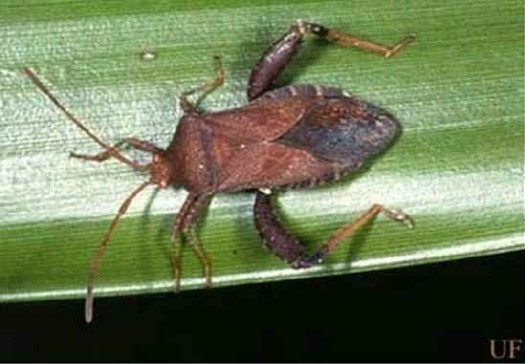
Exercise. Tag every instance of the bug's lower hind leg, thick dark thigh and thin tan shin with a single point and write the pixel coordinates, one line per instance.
(285, 246)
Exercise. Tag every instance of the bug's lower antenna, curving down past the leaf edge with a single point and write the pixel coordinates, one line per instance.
(94, 266)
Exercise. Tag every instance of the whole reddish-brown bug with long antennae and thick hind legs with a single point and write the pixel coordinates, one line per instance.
(294, 136)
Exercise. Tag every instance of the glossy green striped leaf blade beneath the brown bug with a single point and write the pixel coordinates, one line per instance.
(457, 168)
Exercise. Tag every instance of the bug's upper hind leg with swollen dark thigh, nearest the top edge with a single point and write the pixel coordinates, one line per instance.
(280, 53)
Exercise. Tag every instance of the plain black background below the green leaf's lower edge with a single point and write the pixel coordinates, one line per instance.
(436, 312)
